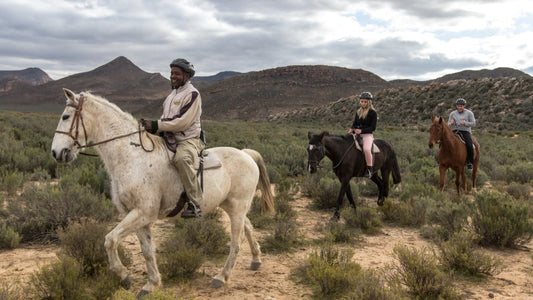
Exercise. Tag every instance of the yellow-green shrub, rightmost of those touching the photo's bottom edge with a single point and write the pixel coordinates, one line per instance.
(419, 272)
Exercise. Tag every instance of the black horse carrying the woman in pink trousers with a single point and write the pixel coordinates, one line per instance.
(349, 162)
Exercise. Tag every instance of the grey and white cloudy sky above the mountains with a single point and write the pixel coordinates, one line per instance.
(395, 39)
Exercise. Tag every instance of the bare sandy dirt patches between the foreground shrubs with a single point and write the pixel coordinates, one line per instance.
(272, 280)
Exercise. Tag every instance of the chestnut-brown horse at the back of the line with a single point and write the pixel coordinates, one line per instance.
(452, 153)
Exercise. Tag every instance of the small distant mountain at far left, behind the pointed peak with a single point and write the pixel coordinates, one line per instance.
(28, 77)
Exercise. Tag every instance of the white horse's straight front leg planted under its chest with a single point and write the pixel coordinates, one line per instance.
(148, 249)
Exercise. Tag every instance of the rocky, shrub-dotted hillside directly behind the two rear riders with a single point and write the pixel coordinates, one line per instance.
(504, 103)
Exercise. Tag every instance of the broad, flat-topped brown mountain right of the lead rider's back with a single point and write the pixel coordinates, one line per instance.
(256, 95)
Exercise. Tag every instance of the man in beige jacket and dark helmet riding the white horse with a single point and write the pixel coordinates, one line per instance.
(180, 126)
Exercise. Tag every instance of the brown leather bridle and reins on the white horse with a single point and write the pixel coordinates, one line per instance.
(77, 119)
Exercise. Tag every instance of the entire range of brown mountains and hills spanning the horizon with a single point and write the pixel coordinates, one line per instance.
(290, 93)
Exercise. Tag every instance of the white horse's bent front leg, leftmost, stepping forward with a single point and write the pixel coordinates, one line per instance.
(133, 221)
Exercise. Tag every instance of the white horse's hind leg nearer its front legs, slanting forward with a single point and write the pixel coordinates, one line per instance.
(237, 226)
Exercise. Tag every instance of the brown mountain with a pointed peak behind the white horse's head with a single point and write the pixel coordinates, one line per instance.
(119, 81)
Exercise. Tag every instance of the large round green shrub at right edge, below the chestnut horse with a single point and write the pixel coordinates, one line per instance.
(501, 220)
